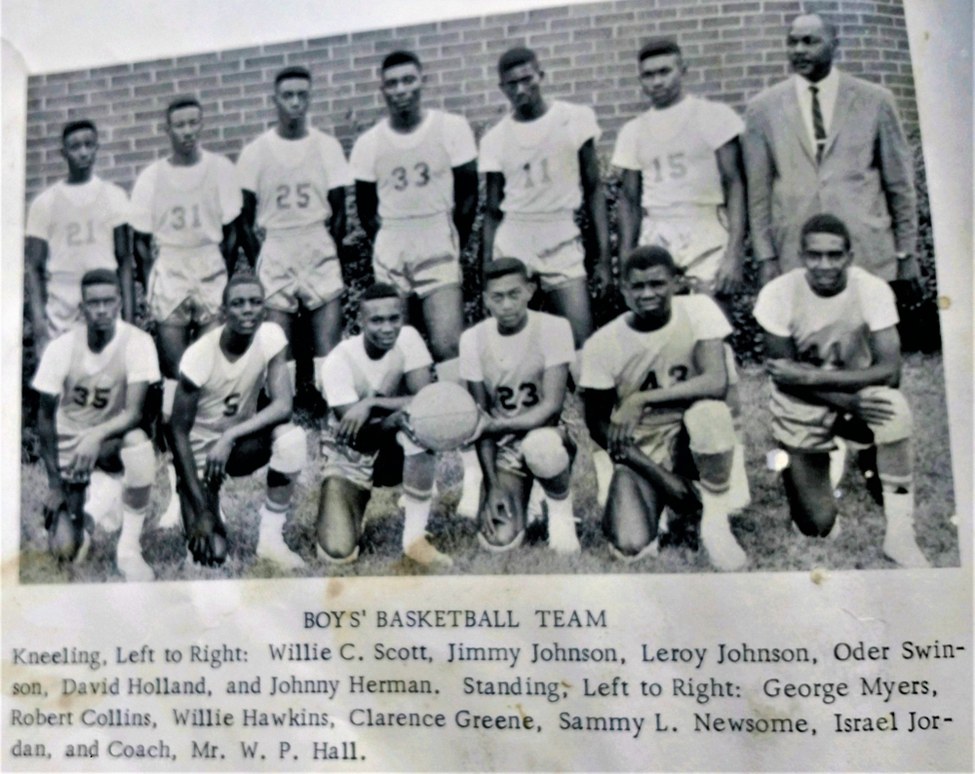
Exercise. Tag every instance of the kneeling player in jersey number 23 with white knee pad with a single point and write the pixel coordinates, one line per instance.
(516, 365)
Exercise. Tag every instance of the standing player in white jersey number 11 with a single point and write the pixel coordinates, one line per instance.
(541, 166)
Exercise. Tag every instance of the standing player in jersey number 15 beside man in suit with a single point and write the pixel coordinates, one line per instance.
(683, 187)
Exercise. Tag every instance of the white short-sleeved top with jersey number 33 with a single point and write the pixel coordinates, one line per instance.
(414, 172)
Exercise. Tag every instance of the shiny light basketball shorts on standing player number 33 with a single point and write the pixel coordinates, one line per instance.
(417, 255)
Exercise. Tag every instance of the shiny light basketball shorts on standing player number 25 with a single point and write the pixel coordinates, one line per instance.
(299, 267)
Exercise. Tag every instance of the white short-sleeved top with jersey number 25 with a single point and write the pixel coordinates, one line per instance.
(292, 178)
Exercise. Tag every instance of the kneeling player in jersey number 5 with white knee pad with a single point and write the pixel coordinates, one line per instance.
(219, 430)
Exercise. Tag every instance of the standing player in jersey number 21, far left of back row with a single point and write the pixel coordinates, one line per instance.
(77, 225)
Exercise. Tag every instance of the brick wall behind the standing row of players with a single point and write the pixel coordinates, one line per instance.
(733, 48)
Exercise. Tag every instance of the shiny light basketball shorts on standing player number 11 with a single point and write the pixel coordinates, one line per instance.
(551, 248)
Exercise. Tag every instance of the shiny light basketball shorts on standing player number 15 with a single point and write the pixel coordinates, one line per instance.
(696, 237)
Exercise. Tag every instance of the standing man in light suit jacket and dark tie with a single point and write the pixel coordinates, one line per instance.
(823, 141)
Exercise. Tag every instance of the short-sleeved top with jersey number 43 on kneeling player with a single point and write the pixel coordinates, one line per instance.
(617, 356)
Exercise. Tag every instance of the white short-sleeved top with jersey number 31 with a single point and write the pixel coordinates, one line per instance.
(186, 206)
